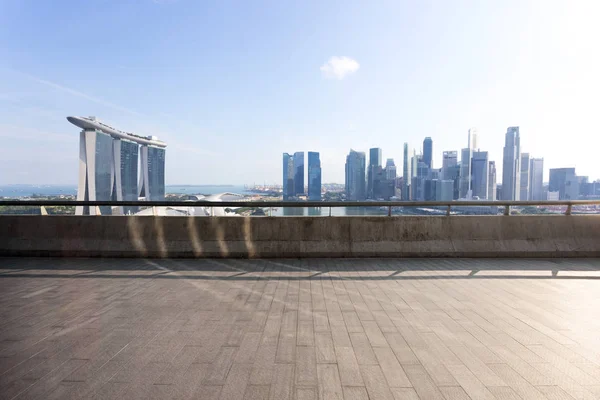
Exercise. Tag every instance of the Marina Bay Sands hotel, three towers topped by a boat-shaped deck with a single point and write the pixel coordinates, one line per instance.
(108, 166)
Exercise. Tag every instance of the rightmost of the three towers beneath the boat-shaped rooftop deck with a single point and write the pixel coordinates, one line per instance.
(152, 175)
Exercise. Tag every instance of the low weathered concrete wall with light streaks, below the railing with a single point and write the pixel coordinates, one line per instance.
(264, 237)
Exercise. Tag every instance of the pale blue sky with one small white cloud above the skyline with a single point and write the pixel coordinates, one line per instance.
(231, 85)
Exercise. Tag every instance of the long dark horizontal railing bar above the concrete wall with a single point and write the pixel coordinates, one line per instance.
(283, 204)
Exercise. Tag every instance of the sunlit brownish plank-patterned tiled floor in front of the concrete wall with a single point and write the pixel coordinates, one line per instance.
(300, 329)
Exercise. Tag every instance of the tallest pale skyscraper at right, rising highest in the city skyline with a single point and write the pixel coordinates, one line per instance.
(511, 165)
